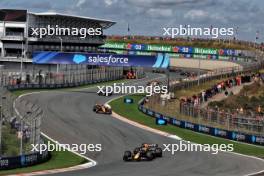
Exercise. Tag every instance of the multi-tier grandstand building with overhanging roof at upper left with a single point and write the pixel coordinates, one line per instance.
(16, 39)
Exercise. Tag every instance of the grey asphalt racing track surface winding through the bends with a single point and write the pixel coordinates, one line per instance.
(69, 119)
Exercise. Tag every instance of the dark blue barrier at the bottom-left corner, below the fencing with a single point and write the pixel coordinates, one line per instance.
(24, 160)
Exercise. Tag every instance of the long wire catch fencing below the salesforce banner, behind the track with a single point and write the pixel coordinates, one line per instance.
(67, 77)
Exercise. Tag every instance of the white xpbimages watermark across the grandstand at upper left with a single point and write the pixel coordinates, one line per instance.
(65, 31)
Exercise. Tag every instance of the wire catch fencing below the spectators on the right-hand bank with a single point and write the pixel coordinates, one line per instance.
(236, 121)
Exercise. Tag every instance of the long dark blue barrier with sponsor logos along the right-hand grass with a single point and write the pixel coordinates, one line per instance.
(226, 134)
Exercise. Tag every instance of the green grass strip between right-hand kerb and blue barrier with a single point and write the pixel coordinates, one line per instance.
(131, 112)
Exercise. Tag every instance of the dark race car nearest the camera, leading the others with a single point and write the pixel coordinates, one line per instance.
(146, 152)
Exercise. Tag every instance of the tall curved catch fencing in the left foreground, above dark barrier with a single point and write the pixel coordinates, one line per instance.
(20, 125)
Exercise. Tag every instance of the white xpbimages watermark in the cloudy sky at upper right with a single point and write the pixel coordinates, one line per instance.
(187, 30)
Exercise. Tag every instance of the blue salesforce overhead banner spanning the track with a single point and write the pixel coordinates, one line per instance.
(45, 57)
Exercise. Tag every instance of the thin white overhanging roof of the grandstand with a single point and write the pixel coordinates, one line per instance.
(104, 23)
